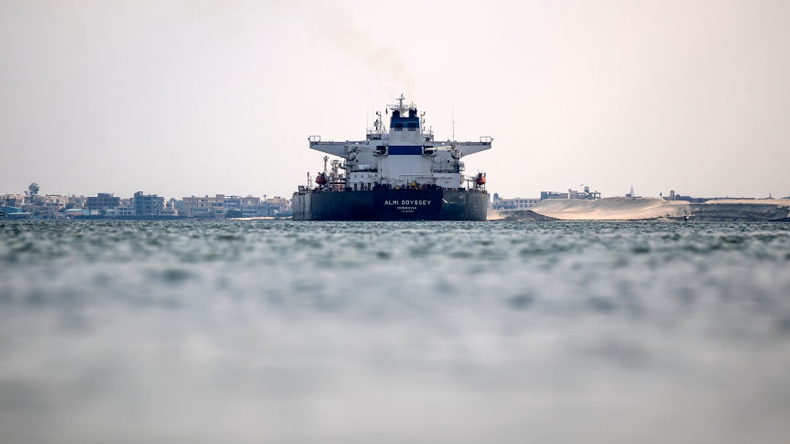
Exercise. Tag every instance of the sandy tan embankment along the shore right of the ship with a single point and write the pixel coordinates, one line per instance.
(623, 208)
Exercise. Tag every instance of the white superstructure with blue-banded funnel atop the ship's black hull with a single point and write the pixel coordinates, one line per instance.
(402, 156)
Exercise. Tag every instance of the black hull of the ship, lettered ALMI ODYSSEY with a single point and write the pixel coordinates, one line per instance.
(374, 205)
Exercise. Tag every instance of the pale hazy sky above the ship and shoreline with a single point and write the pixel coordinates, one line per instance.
(203, 97)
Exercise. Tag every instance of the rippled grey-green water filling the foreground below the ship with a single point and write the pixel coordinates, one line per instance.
(289, 332)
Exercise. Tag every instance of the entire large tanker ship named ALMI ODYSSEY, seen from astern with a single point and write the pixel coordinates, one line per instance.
(396, 173)
